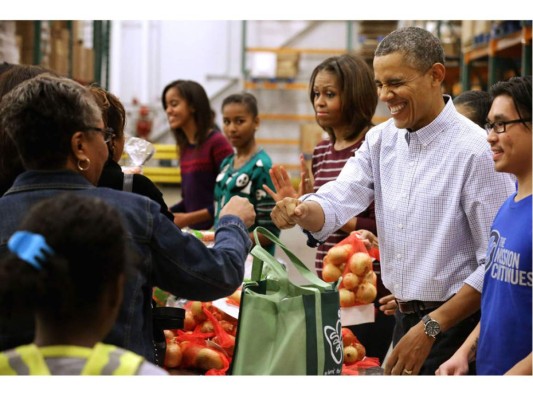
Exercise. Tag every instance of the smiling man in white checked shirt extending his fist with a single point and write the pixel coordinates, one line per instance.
(431, 175)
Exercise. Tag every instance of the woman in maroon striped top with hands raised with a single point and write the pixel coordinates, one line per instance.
(344, 98)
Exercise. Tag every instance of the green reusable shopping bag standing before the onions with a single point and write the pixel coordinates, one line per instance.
(285, 328)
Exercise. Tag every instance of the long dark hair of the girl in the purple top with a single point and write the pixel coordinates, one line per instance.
(196, 97)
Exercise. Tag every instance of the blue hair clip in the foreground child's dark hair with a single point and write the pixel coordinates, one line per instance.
(30, 247)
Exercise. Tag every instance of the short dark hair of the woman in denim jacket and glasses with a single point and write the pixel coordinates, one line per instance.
(41, 115)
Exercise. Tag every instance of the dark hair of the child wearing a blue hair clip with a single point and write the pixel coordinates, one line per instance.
(89, 244)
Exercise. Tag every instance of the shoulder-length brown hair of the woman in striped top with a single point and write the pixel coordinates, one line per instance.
(358, 92)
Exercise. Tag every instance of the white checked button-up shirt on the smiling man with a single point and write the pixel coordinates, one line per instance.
(436, 193)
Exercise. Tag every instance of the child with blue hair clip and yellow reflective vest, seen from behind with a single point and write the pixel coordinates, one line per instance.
(67, 266)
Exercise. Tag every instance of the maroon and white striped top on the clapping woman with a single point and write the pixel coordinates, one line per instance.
(326, 165)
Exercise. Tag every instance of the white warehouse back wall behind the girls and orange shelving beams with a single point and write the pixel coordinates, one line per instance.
(146, 55)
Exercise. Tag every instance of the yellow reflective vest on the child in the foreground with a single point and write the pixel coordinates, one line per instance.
(102, 359)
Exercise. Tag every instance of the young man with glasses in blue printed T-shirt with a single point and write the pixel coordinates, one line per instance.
(501, 342)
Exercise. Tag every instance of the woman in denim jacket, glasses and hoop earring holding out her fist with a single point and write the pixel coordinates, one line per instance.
(58, 130)
